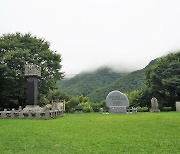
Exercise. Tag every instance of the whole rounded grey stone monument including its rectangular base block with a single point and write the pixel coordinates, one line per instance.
(117, 102)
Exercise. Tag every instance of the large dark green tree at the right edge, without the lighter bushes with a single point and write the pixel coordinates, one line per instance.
(163, 79)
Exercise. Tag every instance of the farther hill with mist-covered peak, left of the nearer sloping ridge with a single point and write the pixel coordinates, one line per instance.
(86, 83)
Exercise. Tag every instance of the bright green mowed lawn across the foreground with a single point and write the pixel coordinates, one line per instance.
(93, 133)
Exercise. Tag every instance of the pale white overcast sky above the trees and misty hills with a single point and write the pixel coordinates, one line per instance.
(125, 34)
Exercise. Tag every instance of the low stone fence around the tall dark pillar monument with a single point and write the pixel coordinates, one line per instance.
(16, 114)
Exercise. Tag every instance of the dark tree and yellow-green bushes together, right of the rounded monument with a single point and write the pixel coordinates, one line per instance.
(162, 81)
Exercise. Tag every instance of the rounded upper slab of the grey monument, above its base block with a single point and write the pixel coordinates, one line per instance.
(116, 98)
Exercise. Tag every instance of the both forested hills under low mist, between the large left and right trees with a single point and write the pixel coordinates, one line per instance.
(96, 85)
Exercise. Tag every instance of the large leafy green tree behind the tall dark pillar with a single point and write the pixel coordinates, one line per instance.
(16, 50)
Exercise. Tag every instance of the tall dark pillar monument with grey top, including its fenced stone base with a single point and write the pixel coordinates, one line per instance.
(32, 109)
